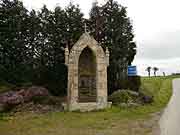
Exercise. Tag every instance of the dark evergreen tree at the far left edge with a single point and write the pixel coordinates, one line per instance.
(13, 49)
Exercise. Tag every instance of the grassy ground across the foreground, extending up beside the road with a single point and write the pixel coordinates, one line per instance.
(115, 121)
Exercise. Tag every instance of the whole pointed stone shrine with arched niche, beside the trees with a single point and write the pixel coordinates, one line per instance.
(87, 75)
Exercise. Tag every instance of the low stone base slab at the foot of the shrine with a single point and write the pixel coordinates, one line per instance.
(86, 107)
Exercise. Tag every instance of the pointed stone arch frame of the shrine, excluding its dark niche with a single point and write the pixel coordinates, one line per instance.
(101, 62)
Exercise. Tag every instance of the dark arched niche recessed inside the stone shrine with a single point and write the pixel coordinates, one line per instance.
(87, 76)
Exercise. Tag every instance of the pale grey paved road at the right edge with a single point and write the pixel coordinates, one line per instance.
(170, 120)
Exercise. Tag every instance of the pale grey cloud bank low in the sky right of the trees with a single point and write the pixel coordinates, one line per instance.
(162, 46)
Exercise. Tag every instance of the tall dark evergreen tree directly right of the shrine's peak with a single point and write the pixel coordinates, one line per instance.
(113, 29)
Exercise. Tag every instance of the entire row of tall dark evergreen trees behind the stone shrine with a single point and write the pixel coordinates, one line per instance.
(32, 43)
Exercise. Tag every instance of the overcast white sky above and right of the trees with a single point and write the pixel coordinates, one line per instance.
(156, 27)
